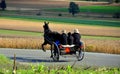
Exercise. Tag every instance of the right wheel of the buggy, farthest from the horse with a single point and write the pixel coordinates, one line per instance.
(80, 52)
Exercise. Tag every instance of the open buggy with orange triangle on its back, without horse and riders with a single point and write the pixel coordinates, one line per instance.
(59, 49)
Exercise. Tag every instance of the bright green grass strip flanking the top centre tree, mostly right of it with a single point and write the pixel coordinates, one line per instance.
(92, 9)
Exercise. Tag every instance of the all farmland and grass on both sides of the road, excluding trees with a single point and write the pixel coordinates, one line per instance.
(23, 29)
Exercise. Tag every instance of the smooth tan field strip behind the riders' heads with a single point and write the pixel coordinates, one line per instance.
(37, 26)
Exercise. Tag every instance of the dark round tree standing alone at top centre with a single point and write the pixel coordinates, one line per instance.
(73, 8)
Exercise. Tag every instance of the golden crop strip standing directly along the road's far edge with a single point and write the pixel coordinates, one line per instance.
(92, 45)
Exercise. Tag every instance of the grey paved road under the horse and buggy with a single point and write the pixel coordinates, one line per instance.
(38, 56)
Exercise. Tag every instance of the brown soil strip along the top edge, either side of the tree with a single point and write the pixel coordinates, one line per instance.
(48, 3)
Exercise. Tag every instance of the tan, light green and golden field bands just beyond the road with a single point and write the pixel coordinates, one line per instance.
(97, 38)
